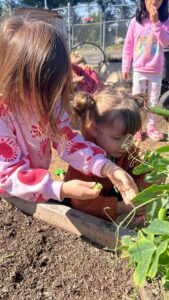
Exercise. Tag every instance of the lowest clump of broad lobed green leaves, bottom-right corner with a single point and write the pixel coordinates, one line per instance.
(149, 252)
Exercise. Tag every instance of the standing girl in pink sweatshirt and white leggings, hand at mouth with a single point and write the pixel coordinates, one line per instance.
(147, 36)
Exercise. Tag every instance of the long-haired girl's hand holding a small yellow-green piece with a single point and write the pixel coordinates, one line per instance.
(79, 189)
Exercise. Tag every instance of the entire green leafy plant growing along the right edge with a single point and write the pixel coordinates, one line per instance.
(149, 249)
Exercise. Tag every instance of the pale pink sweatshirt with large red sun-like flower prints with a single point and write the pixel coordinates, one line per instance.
(25, 155)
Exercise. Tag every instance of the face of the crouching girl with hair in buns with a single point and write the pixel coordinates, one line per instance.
(111, 138)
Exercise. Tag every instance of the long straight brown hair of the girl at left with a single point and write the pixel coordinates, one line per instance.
(35, 67)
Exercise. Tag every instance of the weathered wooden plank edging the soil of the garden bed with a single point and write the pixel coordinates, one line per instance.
(76, 222)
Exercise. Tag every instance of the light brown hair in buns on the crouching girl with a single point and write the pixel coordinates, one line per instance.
(106, 106)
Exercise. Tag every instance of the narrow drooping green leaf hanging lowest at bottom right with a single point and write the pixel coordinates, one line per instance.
(154, 266)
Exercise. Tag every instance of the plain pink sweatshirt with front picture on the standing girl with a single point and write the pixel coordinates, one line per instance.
(144, 46)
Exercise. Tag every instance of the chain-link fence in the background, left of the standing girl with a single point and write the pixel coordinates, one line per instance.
(105, 26)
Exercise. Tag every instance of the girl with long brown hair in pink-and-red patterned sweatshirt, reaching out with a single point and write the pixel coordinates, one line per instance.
(35, 87)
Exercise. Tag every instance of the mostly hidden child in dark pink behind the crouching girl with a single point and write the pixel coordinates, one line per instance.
(84, 76)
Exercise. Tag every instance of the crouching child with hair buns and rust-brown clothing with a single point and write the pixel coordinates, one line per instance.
(110, 120)
